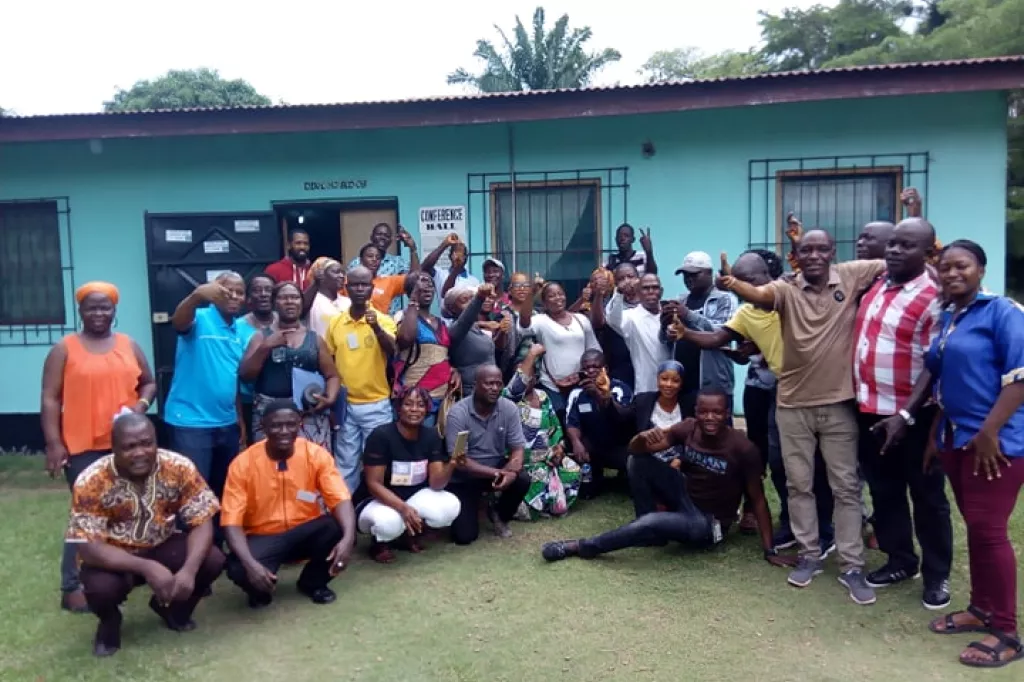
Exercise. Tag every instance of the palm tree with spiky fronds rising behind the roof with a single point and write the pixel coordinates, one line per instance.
(549, 61)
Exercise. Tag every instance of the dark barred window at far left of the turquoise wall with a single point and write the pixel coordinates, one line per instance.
(32, 275)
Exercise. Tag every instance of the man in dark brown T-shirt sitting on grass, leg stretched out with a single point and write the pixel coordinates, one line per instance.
(712, 467)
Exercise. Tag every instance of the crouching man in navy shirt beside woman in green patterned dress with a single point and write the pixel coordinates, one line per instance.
(591, 420)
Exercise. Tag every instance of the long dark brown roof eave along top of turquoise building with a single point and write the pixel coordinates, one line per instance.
(789, 89)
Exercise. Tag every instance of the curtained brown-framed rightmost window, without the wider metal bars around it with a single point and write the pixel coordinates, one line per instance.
(841, 203)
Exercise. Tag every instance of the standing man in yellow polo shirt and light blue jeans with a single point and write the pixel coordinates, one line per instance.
(362, 342)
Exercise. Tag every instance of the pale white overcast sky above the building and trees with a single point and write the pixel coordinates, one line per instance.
(69, 57)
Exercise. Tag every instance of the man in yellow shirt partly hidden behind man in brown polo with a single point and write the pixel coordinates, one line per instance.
(762, 326)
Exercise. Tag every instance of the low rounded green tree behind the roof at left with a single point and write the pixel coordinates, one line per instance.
(186, 90)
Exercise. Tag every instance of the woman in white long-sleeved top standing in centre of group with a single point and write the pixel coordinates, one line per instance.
(565, 336)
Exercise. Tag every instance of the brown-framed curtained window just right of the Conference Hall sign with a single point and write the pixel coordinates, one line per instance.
(556, 229)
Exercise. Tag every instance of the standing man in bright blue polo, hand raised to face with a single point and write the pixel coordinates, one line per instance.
(202, 408)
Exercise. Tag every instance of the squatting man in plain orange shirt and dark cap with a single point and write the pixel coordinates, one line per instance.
(273, 513)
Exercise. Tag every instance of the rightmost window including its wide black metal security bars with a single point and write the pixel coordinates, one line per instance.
(839, 195)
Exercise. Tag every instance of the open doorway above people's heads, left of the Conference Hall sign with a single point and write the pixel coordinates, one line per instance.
(337, 230)
